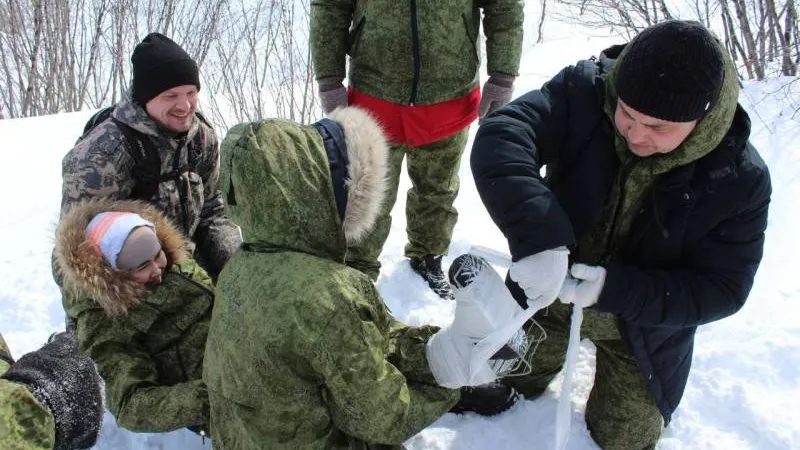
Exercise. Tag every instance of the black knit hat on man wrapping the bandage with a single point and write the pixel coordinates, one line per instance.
(671, 71)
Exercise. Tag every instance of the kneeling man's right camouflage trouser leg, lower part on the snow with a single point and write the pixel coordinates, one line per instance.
(621, 412)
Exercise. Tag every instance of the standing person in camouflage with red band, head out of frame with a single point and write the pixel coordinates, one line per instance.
(414, 65)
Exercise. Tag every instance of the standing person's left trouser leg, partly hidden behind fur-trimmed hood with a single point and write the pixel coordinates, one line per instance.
(364, 256)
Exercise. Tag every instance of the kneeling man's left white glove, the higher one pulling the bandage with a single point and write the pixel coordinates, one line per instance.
(541, 275)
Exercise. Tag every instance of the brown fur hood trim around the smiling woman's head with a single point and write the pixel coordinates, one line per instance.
(82, 267)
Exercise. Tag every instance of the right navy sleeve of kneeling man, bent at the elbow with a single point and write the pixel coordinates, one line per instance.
(717, 274)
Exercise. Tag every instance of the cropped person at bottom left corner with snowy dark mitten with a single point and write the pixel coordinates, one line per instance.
(51, 398)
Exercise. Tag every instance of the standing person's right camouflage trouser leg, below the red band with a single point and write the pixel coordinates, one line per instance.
(430, 215)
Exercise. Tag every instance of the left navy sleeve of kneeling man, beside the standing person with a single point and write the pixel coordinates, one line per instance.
(510, 149)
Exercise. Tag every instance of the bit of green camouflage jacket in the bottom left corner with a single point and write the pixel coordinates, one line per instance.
(25, 424)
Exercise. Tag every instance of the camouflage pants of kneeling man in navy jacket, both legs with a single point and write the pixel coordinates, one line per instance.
(621, 413)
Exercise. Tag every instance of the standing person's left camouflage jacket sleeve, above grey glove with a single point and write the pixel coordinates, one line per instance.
(330, 23)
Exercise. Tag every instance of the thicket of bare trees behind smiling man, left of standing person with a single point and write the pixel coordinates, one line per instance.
(65, 55)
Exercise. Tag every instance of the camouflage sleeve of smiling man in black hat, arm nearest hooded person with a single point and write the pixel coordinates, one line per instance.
(217, 237)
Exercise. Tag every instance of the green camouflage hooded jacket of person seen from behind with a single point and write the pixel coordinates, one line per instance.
(302, 352)
